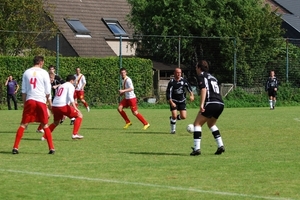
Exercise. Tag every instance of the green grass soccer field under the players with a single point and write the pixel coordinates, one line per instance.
(261, 160)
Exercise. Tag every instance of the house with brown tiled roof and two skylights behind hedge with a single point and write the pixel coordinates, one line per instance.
(91, 28)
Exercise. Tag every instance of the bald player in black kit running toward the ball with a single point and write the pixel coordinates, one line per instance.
(176, 96)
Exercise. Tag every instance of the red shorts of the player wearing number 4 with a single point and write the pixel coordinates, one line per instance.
(35, 111)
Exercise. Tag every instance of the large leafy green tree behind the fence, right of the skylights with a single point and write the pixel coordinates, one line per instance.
(246, 27)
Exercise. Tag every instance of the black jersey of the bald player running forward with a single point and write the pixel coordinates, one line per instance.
(176, 90)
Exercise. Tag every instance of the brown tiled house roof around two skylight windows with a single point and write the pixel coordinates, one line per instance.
(90, 13)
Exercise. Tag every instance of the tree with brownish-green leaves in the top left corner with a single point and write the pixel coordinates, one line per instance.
(23, 24)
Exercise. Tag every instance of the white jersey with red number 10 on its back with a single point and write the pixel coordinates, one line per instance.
(64, 95)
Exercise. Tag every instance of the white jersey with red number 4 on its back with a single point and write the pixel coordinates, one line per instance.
(36, 84)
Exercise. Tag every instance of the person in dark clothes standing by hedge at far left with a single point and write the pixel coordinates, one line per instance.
(12, 89)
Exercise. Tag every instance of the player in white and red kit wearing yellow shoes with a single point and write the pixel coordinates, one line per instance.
(129, 100)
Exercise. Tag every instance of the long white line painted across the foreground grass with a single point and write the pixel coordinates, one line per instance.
(146, 185)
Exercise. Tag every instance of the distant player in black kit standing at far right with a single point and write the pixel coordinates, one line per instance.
(272, 87)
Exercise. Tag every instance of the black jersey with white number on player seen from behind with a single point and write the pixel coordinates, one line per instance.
(206, 80)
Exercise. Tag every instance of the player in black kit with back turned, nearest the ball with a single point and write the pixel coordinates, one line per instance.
(211, 107)
